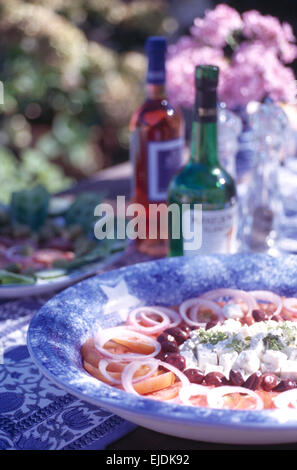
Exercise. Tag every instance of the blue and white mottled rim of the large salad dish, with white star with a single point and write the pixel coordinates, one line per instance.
(58, 330)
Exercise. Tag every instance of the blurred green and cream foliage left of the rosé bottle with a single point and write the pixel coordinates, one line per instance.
(73, 73)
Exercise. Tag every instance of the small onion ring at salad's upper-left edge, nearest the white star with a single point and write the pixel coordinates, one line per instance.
(166, 314)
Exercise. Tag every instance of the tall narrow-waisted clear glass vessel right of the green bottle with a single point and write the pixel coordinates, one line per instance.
(264, 206)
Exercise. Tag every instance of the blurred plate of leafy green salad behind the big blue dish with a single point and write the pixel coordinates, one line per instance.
(44, 238)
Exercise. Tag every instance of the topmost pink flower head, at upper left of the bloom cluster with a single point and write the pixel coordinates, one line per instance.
(217, 25)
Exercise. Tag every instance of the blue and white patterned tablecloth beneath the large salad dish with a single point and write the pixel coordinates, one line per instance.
(34, 413)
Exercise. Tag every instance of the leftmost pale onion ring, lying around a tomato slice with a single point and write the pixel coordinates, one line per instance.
(102, 336)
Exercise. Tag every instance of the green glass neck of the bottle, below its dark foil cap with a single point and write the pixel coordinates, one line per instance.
(204, 131)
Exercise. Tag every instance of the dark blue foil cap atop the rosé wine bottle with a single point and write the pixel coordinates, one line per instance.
(156, 54)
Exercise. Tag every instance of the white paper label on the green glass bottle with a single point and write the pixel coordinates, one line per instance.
(218, 230)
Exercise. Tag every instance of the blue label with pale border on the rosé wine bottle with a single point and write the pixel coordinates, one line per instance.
(164, 159)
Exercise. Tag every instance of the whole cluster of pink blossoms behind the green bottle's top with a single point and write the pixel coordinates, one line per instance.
(256, 69)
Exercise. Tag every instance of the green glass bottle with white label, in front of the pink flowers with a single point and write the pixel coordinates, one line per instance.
(203, 191)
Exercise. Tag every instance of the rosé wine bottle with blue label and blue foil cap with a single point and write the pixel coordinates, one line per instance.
(156, 149)
